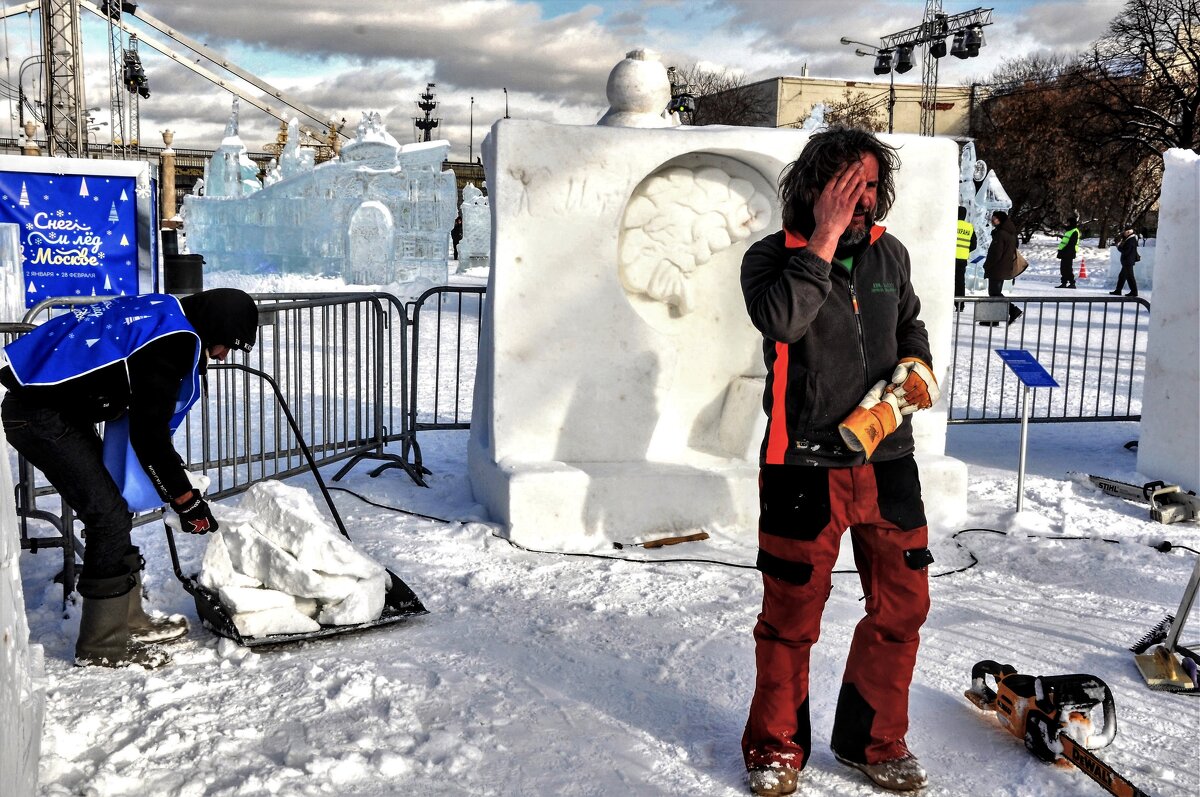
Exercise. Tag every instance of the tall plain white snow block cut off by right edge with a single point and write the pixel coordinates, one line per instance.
(1169, 446)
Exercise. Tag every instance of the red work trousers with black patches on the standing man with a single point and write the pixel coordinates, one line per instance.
(803, 514)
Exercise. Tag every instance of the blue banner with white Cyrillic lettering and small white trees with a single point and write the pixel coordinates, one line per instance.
(79, 233)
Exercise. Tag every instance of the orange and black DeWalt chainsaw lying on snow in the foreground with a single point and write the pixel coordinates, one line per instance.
(1060, 718)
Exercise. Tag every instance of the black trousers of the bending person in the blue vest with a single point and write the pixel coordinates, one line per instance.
(70, 454)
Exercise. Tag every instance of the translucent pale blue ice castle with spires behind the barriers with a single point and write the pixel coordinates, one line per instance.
(380, 214)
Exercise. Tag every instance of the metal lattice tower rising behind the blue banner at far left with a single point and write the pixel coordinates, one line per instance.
(67, 133)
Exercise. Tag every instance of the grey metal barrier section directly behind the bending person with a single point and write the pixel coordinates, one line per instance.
(340, 363)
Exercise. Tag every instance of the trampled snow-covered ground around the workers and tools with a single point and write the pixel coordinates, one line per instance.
(629, 673)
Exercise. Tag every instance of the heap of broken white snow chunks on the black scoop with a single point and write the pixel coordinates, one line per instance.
(281, 570)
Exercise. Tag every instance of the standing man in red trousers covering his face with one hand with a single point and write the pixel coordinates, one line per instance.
(833, 298)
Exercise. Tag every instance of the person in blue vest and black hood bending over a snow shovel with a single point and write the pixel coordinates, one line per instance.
(134, 363)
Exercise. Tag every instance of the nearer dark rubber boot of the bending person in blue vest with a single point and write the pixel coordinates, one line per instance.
(105, 627)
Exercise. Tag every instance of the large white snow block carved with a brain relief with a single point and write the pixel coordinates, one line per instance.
(611, 409)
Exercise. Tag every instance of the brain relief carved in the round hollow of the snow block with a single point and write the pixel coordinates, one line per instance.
(677, 220)
